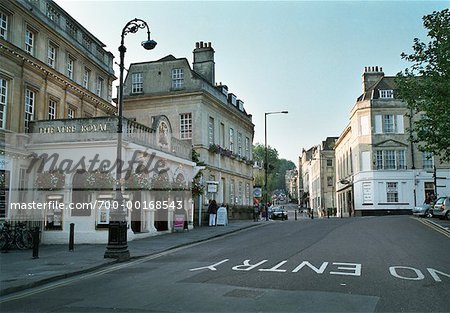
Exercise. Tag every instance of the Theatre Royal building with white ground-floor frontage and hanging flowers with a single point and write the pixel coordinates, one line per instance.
(58, 131)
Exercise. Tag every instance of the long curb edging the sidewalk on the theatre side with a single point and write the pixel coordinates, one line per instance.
(10, 290)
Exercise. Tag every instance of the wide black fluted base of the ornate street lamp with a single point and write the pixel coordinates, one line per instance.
(117, 247)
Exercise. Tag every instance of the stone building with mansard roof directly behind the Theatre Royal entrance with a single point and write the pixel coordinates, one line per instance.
(201, 113)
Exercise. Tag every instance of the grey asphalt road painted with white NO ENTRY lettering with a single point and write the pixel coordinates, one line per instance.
(372, 264)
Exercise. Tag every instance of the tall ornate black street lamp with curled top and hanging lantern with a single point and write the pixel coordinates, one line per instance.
(117, 247)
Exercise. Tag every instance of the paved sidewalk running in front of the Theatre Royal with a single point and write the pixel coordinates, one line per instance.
(19, 271)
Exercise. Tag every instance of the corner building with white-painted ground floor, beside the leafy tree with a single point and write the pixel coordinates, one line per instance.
(379, 171)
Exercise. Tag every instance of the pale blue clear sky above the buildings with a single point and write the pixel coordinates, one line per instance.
(305, 57)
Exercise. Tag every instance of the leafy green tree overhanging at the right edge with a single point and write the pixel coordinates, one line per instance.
(425, 86)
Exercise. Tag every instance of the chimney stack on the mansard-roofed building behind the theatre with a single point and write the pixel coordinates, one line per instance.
(204, 61)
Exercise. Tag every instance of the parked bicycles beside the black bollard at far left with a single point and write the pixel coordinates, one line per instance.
(21, 237)
